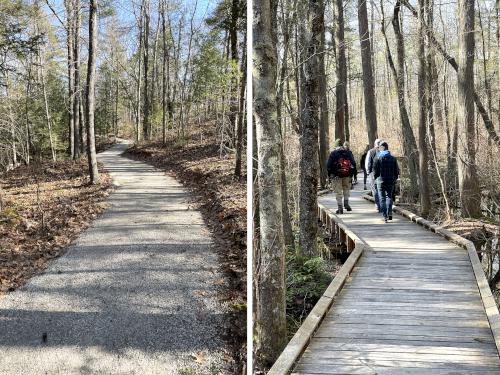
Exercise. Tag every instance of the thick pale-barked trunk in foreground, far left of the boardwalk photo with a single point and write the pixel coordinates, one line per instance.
(270, 306)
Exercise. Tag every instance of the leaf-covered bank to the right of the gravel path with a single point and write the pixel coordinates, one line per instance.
(197, 163)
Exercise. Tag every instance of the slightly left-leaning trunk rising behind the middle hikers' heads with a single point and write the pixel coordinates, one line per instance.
(366, 64)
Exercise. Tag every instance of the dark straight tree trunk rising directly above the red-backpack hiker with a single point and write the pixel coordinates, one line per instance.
(341, 118)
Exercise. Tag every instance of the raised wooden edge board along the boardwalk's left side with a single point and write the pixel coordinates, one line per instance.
(297, 345)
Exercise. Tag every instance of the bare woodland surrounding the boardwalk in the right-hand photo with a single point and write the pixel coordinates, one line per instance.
(422, 75)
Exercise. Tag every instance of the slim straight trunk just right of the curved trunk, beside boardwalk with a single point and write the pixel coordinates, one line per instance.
(425, 200)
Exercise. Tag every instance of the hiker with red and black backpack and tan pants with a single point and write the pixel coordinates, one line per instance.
(341, 167)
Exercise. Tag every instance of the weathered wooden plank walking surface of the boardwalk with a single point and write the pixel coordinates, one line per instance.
(410, 306)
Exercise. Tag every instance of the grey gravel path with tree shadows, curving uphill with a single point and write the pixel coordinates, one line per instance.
(136, 293)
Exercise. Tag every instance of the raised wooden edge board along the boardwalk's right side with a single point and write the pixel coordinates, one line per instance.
(489, 303)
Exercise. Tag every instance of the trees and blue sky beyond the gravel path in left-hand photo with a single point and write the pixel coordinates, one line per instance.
(162, 67)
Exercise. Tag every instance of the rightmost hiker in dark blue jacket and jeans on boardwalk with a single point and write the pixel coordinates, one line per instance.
(385, 174)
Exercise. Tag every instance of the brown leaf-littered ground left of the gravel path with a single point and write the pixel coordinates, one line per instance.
(44, 208)
